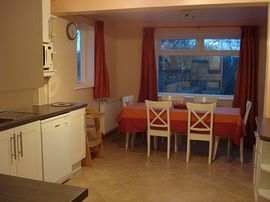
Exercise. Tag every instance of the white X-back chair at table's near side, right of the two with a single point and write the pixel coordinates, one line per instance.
(200, 125)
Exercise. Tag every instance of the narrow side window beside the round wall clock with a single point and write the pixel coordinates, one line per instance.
(85, 56)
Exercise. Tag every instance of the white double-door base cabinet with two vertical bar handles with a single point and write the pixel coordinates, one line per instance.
(20, 150)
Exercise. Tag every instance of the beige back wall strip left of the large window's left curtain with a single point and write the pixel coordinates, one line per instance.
(129, 42)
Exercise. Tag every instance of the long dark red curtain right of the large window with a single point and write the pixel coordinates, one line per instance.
(246, 84)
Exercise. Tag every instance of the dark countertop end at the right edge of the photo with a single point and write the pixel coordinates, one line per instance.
(263, 125)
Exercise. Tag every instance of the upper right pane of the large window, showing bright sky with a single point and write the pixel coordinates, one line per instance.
(222, 44)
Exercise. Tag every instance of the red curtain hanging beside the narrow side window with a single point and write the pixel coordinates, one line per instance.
(102, 86)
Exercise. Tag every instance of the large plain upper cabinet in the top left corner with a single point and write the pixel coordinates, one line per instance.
(21, 45)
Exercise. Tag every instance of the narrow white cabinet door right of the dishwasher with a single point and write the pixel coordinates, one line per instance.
(77, 133)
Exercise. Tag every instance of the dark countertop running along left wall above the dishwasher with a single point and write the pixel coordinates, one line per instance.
(40, 112)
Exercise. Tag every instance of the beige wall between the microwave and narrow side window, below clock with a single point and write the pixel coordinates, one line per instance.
(62, 85)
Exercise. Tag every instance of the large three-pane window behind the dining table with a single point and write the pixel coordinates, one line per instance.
(198, 61)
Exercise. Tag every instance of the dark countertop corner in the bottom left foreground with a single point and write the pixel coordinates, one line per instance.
(14, 189)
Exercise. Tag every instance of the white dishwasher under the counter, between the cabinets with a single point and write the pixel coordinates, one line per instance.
(56, 148)
